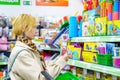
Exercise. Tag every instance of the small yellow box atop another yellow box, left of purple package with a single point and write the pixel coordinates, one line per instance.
(91, 46)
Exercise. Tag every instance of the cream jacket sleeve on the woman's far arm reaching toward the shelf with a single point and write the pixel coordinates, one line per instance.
(54, 67)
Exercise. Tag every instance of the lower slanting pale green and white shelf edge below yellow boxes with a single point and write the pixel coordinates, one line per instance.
(95, 67)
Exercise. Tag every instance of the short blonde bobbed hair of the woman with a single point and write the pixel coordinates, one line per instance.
(24, 22)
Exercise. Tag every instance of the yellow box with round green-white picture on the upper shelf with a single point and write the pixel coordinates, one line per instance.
(100, 26)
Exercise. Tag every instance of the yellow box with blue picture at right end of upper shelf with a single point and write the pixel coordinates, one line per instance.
(113, 28)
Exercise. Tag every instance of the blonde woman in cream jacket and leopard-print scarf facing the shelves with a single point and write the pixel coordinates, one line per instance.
(29, 63)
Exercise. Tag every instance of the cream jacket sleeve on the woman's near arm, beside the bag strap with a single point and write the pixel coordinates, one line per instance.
(27, 67)
